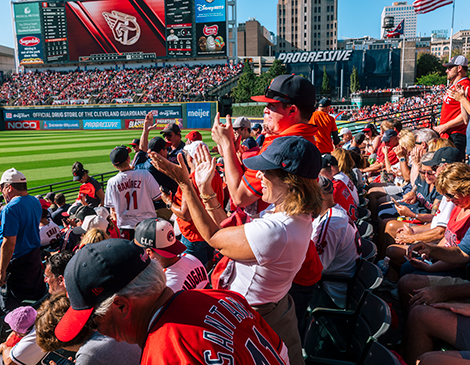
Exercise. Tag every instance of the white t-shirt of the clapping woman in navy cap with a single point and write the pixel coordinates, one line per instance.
(279, 243)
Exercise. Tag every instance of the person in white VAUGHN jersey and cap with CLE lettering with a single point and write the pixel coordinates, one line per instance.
(183, 271)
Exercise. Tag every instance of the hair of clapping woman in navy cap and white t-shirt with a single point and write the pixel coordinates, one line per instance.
(303, 194)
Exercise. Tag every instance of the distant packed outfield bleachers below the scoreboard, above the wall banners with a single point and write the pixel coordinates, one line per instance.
(145, 84)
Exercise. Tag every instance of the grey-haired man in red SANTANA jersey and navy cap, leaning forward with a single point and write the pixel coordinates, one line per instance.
(126, 309)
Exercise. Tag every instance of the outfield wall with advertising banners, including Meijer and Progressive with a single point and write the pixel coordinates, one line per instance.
(190, 115)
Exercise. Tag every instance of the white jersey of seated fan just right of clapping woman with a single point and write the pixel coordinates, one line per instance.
(337, 243)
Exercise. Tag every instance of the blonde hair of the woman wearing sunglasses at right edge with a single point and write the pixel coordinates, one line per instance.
(454, 179)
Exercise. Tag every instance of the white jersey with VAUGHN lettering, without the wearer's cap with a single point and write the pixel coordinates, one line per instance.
(187, 273)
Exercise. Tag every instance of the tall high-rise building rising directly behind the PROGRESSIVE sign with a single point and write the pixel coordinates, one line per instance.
(307, 25)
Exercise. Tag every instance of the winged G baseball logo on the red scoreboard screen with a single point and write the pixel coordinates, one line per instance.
(125, 28)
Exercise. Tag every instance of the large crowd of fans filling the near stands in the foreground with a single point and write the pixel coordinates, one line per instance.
(188, 259)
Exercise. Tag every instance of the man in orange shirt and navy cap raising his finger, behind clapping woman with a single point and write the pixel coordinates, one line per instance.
(291, 102)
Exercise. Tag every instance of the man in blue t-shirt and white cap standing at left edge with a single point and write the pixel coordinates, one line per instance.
(20, 258)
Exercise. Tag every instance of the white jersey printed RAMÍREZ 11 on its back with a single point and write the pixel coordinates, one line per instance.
(131, 193)
